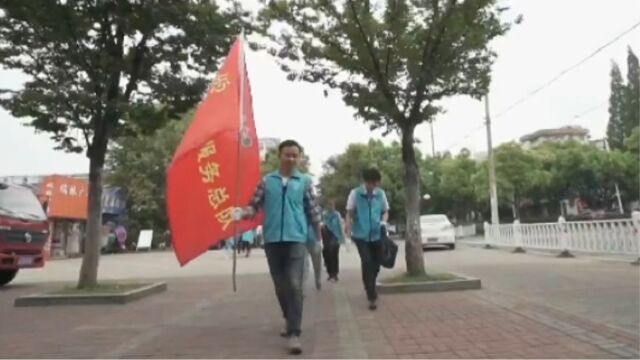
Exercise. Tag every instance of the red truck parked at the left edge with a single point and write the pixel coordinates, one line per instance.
(23, 231)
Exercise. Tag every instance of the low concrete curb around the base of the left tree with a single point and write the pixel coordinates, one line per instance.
(47, 299)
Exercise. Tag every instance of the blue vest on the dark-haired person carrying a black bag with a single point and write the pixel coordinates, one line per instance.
(368, 214)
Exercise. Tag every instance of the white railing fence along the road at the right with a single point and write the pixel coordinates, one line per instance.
(619, 237)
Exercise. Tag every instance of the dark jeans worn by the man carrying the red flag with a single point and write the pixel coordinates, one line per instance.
(286, 265)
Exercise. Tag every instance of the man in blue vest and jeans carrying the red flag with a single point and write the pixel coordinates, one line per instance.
(289, 205)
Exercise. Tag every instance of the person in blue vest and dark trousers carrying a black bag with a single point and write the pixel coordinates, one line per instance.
(367, 212)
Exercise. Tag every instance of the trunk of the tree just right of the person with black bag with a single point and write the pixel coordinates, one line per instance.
(413, 243)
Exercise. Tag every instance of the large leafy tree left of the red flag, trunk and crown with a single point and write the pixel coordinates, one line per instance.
(93, 63)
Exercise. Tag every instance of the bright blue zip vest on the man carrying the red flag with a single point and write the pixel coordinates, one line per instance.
(284, 214)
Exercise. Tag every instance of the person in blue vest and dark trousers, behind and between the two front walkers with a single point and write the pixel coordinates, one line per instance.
(331, 247)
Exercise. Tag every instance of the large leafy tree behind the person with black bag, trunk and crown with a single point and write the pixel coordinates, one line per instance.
(393, 61)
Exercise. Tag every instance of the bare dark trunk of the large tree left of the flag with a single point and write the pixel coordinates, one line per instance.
(89, 269)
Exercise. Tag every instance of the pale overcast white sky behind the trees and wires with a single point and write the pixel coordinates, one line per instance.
(554, 35)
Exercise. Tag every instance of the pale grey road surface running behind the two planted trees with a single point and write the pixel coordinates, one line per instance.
(604, 291)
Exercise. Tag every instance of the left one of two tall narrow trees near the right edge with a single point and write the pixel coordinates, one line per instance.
(616, 127)
